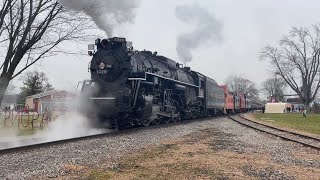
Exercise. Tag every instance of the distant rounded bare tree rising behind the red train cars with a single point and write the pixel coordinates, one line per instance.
(239, 84)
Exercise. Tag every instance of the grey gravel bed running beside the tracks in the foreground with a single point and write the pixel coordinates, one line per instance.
(49, 162)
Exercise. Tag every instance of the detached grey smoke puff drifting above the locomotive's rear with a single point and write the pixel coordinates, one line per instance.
(207, 30)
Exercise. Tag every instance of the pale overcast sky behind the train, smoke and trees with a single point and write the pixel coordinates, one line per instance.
(248, 25)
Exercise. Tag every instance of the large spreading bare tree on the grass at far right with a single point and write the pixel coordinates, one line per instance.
(296, 60)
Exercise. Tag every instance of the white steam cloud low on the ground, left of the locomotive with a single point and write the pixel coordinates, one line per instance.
(64, 125)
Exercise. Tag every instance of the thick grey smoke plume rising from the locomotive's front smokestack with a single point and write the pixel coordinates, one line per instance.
(107, 14)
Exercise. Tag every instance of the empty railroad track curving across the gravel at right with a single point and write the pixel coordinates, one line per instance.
(305, 140)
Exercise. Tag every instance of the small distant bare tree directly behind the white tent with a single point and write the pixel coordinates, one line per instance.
(274, 88)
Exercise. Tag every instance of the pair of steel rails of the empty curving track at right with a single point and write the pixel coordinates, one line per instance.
(278, 130)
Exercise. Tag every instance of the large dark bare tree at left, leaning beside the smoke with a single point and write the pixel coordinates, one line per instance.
(31, 30)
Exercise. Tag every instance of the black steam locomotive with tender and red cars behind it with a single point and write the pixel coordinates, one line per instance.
(130, 87)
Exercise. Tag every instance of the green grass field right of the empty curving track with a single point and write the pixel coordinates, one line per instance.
(311, 124)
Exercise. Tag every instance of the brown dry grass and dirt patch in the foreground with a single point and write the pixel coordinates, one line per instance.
(206, 154)
